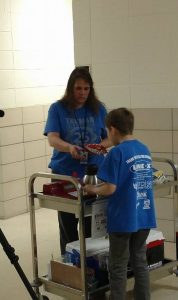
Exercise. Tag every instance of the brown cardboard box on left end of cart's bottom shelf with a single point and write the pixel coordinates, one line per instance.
(66, 274)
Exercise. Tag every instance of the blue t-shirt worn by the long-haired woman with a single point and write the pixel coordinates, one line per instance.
(71, 124)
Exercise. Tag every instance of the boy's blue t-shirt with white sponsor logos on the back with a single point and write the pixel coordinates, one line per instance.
(131, 206)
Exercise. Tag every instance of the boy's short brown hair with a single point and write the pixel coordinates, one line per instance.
(122, 119)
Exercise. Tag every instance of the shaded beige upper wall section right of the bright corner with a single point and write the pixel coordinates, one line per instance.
(132, 48)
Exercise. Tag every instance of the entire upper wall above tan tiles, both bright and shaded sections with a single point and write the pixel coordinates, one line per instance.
(131, 46)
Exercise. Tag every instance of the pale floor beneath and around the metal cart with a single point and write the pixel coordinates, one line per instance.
(17, 232)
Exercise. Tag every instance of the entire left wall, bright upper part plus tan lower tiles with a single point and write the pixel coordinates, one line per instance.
(36, 58)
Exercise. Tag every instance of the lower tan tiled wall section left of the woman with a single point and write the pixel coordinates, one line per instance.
(23, 151)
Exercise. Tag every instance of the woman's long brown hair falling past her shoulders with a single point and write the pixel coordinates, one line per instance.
(68, 100)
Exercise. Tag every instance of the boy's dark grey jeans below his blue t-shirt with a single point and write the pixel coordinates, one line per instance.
(122, 247)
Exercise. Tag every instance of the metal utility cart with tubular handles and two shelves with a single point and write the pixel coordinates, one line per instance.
(78, 207)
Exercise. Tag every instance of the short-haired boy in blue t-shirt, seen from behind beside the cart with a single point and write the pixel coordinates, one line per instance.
(127, 179)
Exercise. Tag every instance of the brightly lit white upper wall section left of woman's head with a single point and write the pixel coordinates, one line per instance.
(36, 51)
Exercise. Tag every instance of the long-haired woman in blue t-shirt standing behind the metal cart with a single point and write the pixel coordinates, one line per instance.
(75, 120)
